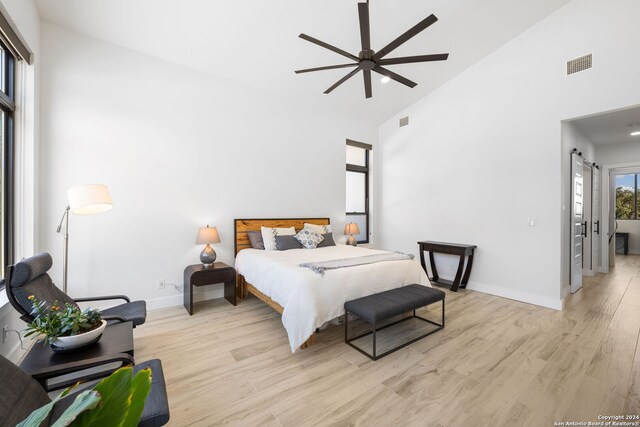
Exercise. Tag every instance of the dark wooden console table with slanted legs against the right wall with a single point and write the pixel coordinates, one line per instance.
(462, 275)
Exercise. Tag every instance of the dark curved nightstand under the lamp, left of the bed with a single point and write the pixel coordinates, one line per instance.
(199, 275)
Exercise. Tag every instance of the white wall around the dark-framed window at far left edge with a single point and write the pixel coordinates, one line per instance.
(24, 15)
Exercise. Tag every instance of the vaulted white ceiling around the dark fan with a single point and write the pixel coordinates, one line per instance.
(255, 42)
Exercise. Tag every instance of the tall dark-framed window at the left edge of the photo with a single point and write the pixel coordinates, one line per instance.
(7, 109)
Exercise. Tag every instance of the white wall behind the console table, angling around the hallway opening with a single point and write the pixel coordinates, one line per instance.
(483, 152)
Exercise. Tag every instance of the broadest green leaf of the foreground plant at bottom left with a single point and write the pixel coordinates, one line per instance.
(112, 410)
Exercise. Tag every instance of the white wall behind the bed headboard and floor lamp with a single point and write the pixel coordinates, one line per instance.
(178, 149)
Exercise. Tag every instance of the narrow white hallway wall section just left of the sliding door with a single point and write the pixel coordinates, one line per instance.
(571, 138)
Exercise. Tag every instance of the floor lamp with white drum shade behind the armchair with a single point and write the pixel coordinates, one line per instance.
(86, 199)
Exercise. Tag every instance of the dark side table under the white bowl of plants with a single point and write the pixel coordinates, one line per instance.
(115, 345)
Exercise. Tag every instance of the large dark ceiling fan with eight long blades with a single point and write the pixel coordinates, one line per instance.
(368, 60)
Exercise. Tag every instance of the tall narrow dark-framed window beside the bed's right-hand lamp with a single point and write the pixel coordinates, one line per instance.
(357, 202)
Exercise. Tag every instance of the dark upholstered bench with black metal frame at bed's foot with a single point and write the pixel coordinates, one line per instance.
(385, 305)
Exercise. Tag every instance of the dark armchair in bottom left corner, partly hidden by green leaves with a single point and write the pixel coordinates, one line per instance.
(22, 394)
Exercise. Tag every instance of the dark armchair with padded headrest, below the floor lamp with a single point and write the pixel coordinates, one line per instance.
(29, 277)
